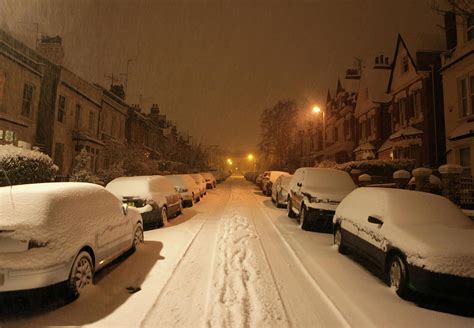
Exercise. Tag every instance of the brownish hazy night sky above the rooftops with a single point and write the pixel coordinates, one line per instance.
(213, 66)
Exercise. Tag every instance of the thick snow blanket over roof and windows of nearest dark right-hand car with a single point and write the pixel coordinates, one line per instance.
(403, 207)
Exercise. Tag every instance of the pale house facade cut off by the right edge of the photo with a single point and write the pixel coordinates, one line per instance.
(458, 89)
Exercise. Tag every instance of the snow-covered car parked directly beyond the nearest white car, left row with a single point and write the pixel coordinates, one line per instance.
(154, 197)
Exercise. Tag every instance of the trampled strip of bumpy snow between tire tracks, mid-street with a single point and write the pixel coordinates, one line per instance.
(241, 292)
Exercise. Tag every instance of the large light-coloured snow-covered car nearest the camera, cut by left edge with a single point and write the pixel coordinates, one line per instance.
(61, 233)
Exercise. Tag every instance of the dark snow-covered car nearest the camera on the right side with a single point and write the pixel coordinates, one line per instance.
(420, 241)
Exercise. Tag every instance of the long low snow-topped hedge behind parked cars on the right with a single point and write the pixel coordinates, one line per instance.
(375, 167)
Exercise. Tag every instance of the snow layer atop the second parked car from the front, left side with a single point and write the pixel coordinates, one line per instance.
(138, 186)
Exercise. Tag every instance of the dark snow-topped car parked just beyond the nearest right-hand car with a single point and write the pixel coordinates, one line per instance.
(314, 195)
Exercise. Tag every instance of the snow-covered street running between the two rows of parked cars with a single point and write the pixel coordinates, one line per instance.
(235, 260)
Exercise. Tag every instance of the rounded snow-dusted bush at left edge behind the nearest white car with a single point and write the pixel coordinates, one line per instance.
(24, 166)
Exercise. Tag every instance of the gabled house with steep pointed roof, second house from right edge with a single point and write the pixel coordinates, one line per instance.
(416, 110)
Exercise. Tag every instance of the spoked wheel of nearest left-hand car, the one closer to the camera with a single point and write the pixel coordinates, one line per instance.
(82, 273)
